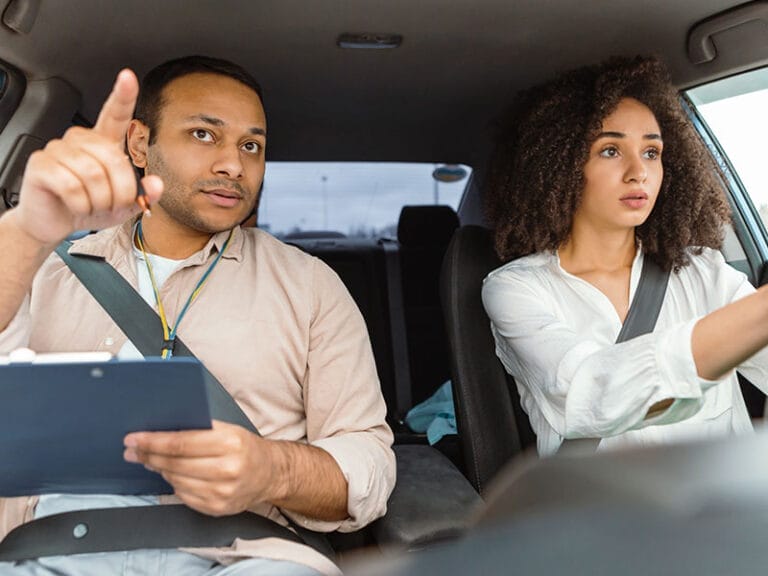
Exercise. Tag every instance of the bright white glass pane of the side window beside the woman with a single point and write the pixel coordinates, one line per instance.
(735, 111)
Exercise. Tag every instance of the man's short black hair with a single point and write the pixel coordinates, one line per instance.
(150, 101)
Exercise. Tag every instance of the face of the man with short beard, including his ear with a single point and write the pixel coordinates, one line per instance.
(209, 150)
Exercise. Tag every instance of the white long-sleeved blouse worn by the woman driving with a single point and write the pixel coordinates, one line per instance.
(556, 335)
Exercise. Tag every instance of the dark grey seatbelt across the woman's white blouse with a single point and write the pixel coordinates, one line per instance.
(641, 319)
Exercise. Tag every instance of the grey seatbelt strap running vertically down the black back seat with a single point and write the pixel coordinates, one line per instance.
(397, 330)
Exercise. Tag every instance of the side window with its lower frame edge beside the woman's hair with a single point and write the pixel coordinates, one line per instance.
(732, 117)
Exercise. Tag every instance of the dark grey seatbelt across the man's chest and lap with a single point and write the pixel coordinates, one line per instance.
(136, 527)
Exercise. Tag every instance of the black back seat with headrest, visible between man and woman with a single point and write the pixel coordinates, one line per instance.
(417, 353)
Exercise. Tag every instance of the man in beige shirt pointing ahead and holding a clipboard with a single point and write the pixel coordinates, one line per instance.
(274, 325)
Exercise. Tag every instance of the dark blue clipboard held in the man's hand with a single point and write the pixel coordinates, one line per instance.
(62, 425)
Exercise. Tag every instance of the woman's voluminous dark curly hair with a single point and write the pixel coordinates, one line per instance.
(536, 173)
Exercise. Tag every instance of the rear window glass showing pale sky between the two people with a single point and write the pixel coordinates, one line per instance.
(355, 199)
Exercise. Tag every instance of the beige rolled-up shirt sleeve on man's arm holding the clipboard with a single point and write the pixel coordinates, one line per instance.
(344, 406)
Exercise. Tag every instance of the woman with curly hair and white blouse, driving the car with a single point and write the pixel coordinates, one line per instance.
(594, 172)
